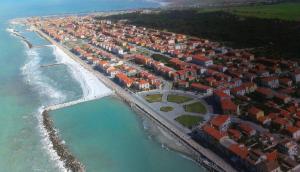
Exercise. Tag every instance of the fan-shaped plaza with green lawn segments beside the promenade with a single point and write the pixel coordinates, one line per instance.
(184, 109)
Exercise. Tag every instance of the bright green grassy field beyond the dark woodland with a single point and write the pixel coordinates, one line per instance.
(283, 11)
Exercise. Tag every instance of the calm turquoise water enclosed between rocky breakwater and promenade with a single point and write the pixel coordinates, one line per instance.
(106, 135)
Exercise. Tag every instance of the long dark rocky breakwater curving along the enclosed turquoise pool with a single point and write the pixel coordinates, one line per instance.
(71, 163)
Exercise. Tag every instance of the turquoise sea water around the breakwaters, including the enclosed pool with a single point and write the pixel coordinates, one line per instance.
(105, 135)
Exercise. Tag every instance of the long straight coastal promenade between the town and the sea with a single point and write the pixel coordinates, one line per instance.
(216, 163)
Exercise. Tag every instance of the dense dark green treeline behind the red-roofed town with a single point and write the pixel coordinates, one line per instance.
(269, 37)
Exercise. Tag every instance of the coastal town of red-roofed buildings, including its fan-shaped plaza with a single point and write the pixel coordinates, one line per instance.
(241, 107)
